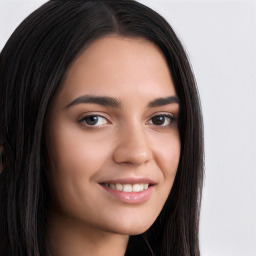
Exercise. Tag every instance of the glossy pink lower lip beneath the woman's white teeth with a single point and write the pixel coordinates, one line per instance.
(131, 197)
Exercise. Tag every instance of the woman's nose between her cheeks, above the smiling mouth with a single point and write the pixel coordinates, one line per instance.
(132, 147)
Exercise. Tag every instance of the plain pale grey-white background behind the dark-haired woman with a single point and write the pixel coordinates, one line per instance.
(220, 38)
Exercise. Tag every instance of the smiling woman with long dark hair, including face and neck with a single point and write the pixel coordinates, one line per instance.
(101, 133)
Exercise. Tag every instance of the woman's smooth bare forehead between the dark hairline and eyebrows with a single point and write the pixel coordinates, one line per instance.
(119, 66)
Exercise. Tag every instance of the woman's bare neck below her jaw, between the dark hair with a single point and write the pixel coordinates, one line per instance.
(64, 237)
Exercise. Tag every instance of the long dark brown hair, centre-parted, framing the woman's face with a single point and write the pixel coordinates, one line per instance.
(33, 65)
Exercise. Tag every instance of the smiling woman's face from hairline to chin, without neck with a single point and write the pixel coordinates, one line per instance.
(112, 137)
